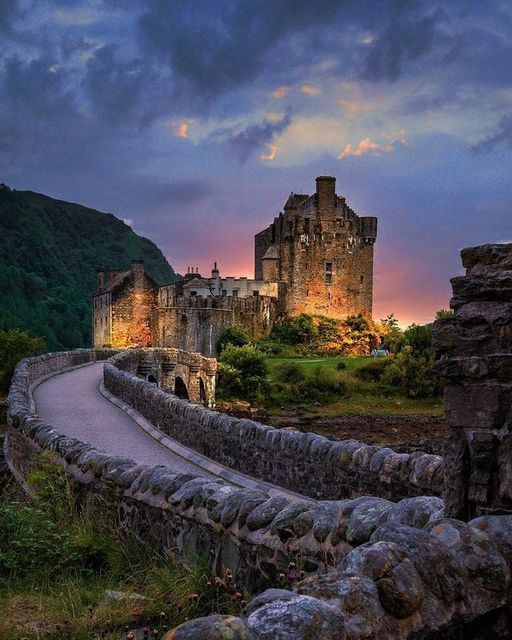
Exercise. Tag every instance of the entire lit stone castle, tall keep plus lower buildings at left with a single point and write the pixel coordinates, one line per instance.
(316, 257)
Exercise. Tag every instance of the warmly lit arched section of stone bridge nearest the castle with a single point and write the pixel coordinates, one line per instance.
(190, 376)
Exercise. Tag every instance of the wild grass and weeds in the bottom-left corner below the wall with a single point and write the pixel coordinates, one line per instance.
(57, 564)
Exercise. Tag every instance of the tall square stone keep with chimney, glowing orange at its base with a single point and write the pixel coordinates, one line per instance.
(322, 251)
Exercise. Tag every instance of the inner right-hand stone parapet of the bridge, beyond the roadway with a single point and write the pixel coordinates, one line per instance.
(302, 462)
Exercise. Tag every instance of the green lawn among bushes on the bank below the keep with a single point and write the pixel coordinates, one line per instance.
(364, 398)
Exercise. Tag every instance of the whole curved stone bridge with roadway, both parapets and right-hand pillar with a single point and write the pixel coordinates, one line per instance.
(383, 555)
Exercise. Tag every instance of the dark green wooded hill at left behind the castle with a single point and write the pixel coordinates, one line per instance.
(49, 253)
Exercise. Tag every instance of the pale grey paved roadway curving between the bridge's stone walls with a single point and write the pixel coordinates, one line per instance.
(71, 403)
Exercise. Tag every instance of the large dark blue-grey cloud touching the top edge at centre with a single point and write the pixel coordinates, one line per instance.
(215, 47)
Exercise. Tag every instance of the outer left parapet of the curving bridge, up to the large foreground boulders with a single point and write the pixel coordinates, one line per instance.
(252, 533)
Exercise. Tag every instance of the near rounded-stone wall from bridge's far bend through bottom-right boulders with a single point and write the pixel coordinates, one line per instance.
(376, 569)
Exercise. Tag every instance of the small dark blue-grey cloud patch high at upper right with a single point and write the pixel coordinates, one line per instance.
(400, 42)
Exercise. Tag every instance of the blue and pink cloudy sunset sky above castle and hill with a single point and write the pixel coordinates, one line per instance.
(193, 121)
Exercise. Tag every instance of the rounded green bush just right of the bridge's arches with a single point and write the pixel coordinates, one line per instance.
(244, 371)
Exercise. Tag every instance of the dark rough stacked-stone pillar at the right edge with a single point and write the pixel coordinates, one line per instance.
(475, 359)
